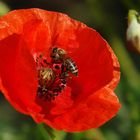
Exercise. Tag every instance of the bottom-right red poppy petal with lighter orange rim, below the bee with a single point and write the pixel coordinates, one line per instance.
(91, 112)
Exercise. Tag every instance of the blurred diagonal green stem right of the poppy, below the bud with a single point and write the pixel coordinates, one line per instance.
(128, 68)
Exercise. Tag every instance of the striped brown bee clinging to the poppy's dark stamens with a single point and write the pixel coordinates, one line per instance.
(59, 55)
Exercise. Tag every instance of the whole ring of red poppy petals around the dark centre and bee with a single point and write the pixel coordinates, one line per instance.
(89, 100)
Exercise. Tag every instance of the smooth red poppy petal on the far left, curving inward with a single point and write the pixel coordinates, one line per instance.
(19, 78)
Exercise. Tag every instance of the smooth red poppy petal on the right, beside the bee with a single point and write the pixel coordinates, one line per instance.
(97, 64)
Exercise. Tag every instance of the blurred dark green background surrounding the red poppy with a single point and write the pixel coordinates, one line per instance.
(109, 17)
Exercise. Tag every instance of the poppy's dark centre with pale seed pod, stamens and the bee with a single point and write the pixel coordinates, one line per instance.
(53, 75)
